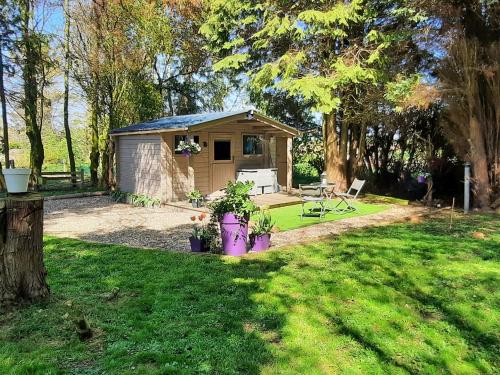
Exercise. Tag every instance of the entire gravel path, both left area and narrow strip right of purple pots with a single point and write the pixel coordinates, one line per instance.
(100, 219)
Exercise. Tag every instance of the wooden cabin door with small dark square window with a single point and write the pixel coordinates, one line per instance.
(221, 160)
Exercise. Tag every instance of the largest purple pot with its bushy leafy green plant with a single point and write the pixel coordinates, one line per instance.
(233, 212)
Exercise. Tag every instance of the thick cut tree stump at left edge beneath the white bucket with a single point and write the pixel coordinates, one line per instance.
(22, 272)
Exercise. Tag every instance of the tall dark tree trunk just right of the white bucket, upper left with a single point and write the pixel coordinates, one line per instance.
(31, 59)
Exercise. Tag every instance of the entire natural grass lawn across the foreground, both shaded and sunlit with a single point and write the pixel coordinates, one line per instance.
(398, 299)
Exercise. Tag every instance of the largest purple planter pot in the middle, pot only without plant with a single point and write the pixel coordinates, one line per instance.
(234, 233)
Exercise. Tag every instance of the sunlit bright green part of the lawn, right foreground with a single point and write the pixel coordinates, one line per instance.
(418, 298)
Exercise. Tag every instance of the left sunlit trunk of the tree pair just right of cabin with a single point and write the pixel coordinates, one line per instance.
(333, 165)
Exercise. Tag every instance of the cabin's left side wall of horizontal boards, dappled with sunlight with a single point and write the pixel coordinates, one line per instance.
(139, 160)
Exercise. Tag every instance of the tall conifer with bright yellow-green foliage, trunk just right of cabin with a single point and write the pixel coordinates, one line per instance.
(327, 52)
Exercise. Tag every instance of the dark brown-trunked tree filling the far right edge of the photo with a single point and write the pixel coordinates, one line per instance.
(468, 33)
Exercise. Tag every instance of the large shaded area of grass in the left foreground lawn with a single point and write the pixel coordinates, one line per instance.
(173, 312)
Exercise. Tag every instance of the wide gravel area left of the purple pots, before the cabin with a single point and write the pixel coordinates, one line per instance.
(100, 219)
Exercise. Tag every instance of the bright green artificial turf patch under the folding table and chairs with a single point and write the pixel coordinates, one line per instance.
(289, 217)
